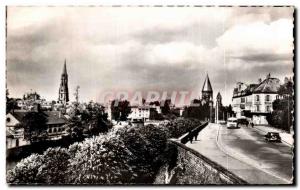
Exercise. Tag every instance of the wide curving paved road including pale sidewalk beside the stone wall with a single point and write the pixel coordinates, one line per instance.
(244, 152)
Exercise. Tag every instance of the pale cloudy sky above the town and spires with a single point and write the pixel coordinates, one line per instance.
(145, 48)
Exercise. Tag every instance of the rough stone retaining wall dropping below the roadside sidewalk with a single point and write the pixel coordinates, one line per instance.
(187, 166)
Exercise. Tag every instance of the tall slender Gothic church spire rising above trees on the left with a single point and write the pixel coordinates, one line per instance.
(63, 95)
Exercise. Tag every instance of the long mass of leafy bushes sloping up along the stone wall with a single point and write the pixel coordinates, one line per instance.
(125, 155)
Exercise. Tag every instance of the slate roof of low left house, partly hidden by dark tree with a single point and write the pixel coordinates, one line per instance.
(52, 116)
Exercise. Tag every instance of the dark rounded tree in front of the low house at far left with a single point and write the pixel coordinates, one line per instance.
(35, 126)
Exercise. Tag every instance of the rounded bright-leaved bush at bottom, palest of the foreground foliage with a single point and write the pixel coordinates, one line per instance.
(102, 159)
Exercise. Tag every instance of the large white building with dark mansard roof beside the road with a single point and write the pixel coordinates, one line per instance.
(255, 100)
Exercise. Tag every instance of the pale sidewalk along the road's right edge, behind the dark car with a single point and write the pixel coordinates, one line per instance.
(285, 137)
